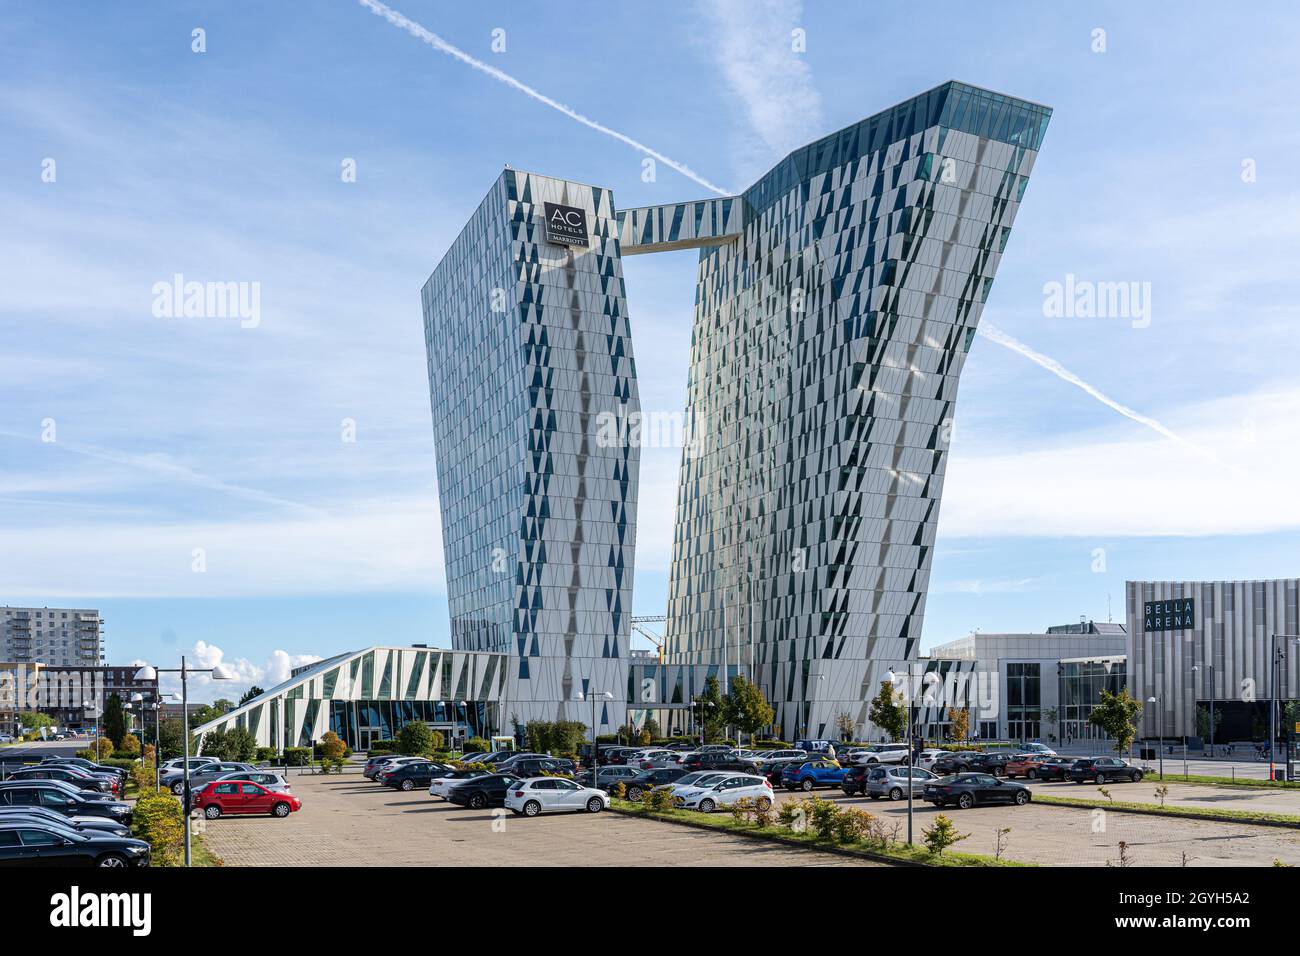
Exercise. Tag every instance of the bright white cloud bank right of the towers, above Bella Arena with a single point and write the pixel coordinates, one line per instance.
(1125, 483)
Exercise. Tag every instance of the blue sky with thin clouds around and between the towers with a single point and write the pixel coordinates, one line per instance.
(174, 435)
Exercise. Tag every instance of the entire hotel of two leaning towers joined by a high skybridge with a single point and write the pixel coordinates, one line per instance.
(835, 305)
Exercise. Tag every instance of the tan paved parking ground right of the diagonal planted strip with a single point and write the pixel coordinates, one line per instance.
(1065, 837)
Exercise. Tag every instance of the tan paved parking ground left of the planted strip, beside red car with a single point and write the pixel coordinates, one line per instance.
(348, 821)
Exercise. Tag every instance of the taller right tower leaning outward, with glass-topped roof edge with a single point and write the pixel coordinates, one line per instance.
(830, 334)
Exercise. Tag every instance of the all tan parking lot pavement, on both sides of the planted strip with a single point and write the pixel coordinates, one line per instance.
(348, 821)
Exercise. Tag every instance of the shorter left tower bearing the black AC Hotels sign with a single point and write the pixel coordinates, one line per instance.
(530, 362)
